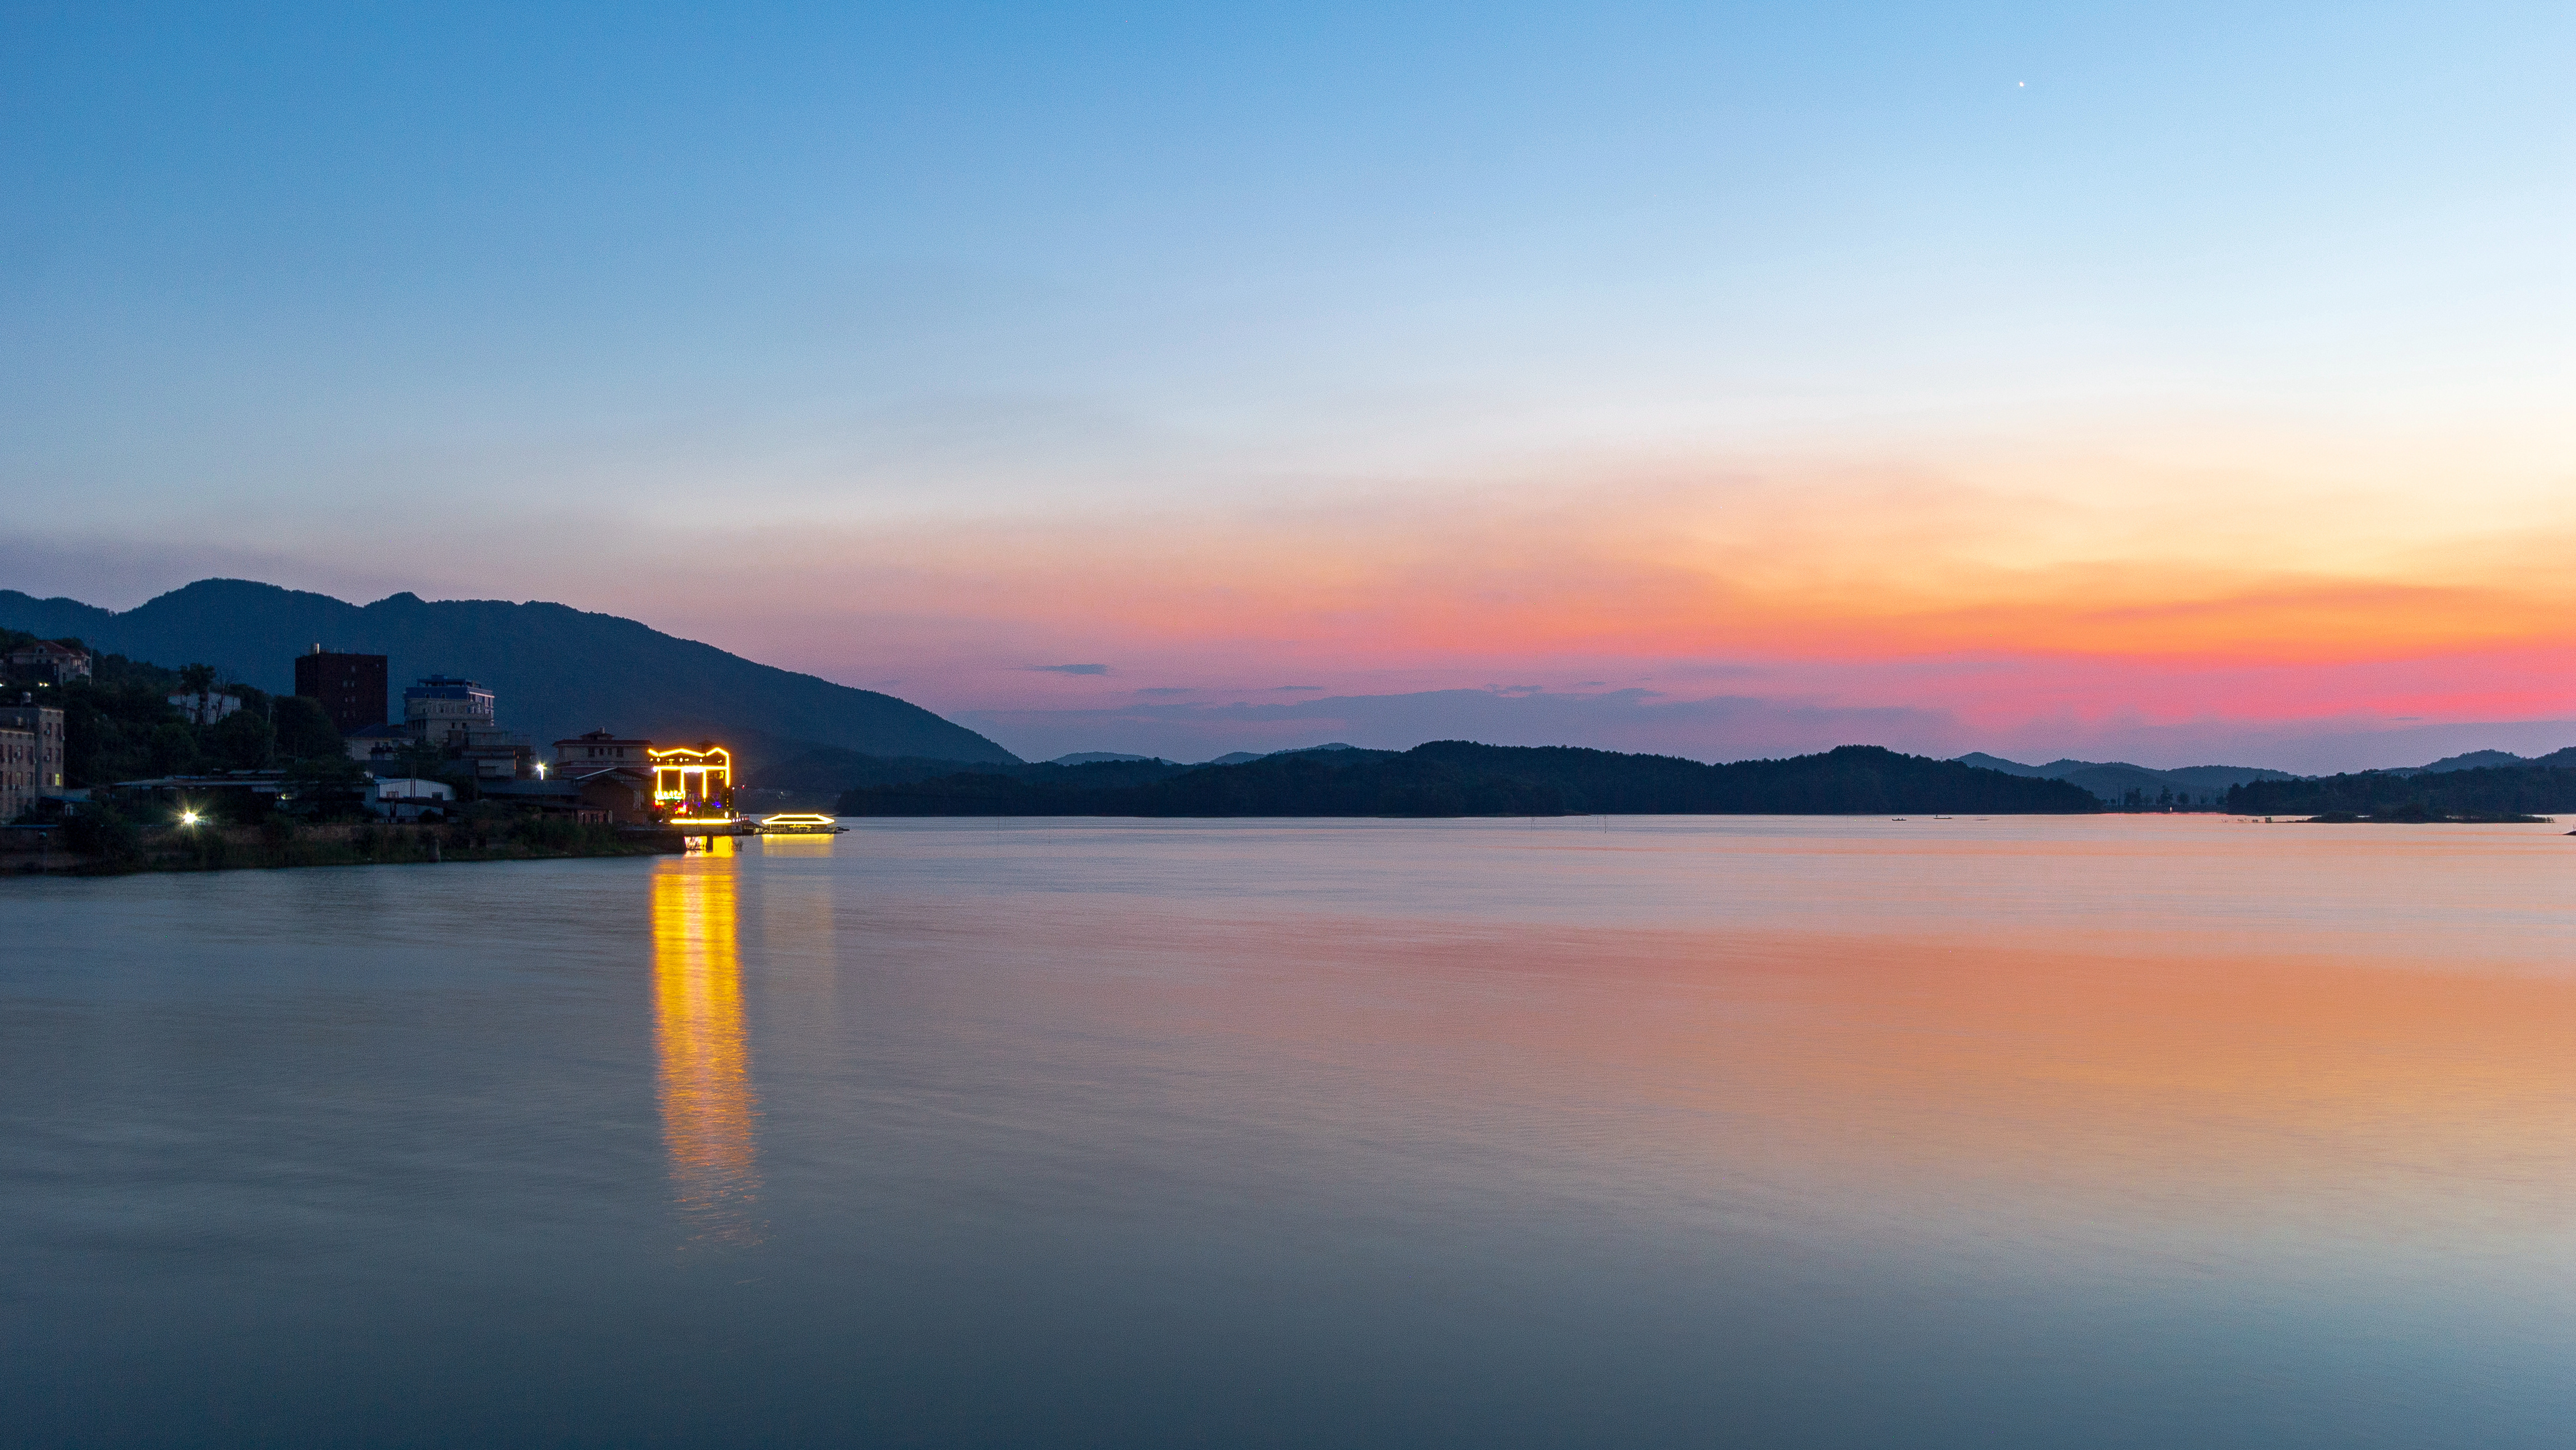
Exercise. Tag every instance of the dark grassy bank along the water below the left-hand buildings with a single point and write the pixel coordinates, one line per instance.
(290, 843)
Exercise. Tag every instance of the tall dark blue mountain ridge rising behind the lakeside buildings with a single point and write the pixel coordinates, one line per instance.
(558, 671)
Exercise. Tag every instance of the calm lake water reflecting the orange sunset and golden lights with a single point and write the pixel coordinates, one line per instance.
(1683, 1132)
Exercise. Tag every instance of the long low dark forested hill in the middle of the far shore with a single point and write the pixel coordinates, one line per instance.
(1459, 779)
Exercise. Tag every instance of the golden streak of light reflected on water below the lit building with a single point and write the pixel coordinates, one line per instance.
(705, 1055)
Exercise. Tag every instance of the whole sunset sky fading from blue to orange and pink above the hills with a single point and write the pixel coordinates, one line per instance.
(2155, 382)
